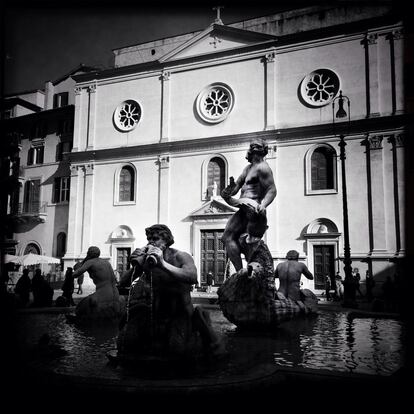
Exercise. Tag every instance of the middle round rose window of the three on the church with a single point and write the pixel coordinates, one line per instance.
(215, 102)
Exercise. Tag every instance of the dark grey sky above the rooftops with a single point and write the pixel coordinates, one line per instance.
(43, 40)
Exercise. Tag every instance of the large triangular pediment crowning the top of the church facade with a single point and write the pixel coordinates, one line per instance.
(214, 39)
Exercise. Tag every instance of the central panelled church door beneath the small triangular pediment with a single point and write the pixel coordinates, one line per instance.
(213, 256)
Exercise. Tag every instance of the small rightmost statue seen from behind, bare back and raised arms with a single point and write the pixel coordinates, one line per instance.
(289, 274)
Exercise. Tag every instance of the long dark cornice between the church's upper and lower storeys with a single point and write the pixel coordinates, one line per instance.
(278, 136)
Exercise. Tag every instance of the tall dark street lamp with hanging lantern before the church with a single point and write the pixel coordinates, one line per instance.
(349, 286)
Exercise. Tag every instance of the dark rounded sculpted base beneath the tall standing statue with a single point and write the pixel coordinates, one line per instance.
(249, 298)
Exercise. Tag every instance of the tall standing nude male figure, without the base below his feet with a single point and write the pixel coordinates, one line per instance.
(257, 191)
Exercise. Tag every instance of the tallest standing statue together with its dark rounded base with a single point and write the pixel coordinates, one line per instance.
(248, 298)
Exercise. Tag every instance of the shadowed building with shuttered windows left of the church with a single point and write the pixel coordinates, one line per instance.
(40, 124)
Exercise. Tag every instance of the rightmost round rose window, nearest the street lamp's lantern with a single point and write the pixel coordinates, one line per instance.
(319, 87)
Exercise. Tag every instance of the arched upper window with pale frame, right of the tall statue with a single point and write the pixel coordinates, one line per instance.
(321, 170)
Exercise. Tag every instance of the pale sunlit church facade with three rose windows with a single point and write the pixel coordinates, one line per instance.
(157, 137)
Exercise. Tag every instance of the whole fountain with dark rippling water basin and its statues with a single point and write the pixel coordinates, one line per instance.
(159, 345)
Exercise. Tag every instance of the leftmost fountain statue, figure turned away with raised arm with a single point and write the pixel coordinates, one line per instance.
(105, 302)
